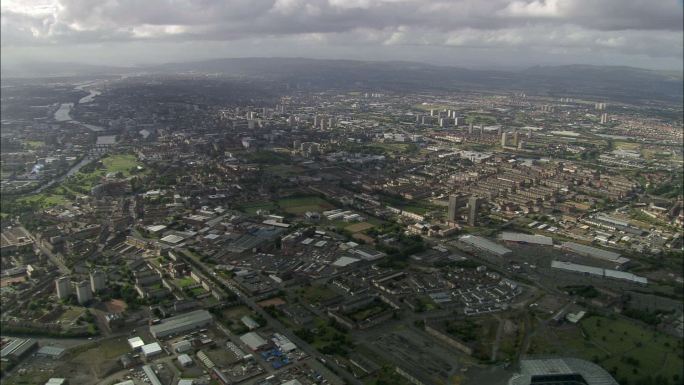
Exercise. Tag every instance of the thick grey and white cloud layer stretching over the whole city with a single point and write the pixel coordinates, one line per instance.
(625, 27)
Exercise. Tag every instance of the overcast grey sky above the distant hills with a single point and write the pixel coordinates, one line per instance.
(467, 33)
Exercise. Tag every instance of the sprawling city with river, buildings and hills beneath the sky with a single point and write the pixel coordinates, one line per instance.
(296, 221)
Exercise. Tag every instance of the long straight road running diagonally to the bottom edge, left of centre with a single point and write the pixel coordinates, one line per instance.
(278, 326)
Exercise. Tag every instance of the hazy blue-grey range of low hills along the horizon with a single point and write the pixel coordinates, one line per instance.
(610, 82)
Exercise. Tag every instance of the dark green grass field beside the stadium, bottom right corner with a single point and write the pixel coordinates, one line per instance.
(625, 348)
